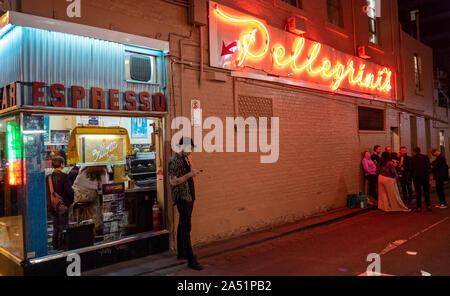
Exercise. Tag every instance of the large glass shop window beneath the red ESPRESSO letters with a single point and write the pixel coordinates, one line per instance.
(109, 163)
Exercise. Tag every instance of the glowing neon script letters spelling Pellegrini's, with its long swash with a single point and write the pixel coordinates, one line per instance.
(298, 62)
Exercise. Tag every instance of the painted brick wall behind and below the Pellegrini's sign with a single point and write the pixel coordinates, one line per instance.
(320, 145)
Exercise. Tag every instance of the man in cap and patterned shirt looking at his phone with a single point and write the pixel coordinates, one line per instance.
(181, 176)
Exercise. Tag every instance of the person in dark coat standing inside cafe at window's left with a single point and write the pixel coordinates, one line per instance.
(62, 186)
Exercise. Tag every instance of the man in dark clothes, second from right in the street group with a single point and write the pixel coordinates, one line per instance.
(420, 173)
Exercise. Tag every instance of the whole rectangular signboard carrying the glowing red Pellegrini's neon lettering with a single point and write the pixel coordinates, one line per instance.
(301, 59)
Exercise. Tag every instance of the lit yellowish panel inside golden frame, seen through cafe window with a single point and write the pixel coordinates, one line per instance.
(101, 149)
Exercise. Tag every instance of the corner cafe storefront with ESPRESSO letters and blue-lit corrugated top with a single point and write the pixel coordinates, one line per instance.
(97, 98)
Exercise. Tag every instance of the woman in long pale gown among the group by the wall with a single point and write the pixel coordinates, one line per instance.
(388, 195)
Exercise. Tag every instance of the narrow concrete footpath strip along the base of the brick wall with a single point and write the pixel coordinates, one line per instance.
(158, 262)
